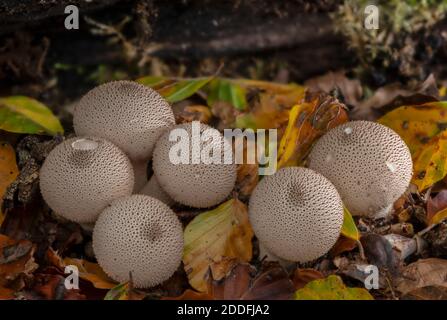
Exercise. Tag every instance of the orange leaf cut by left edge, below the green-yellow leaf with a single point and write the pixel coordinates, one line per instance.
(8, 171)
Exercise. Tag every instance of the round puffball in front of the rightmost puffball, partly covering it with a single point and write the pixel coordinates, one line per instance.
(296, 214)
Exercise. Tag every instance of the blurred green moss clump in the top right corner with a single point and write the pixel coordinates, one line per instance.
(405, 43)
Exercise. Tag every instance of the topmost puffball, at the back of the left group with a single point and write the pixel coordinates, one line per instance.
(129, 114)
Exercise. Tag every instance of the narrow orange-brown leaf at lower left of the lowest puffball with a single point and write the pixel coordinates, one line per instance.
(91, 272)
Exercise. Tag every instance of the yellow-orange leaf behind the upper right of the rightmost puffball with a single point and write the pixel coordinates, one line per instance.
(417, 124)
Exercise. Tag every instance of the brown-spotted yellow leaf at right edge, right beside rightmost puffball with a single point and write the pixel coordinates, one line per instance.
(430, 162)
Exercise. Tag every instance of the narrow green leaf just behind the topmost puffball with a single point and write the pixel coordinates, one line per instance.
(174, 90)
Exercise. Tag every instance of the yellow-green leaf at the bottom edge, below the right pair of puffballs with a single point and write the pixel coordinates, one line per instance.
(331, 288)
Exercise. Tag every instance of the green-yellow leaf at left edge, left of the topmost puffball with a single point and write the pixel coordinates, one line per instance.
(21, 114)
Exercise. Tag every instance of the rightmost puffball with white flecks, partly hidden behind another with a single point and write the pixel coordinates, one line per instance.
(369, 164)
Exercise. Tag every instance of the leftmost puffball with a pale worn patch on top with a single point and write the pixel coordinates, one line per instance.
(81, 176)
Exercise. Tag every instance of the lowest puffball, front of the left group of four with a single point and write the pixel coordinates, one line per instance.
(141, 235)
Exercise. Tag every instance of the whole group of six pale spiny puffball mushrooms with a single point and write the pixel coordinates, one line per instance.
(99, 178)
